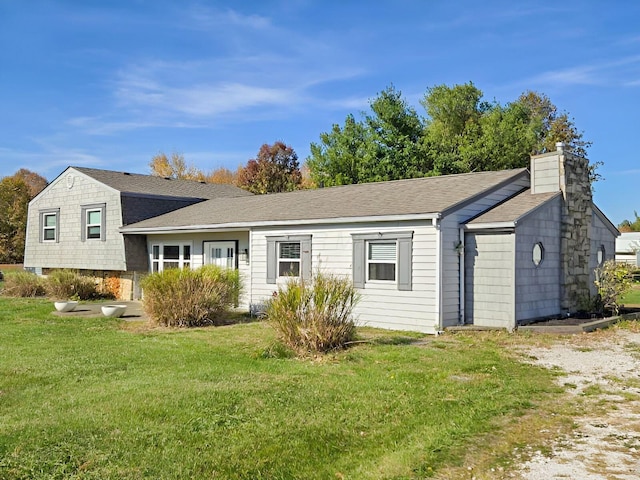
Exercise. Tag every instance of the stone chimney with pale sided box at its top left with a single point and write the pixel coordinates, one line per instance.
(568, 173)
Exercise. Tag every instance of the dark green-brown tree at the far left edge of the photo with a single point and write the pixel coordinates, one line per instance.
(15, 195)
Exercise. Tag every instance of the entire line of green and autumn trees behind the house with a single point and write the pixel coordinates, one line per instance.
(459, 132)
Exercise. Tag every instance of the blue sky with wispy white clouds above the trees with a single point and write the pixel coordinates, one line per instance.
(108, 84)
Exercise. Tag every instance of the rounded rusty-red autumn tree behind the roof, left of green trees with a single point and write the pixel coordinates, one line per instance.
(275, 169)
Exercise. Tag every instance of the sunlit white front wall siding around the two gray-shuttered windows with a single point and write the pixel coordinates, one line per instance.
(381, 305)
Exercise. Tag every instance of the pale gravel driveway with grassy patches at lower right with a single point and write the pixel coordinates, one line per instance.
(602, 374)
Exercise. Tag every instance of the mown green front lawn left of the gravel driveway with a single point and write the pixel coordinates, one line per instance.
(105, 399)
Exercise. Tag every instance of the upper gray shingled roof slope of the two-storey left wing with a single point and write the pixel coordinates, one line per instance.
(153, 185)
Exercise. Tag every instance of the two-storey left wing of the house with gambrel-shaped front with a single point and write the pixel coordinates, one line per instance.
(74, 222)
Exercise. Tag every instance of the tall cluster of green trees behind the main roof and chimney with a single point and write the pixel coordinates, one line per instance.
(461, 133)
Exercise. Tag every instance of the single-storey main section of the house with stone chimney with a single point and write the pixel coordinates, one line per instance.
(489, 248)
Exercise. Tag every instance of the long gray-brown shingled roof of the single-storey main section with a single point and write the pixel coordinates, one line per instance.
(430, 195)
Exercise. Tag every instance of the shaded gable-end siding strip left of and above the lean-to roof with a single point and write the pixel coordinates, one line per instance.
(450, 231)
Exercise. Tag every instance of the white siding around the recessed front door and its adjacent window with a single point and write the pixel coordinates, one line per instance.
(197, 255)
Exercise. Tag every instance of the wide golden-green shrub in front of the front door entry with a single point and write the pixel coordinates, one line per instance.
(190, 298)
